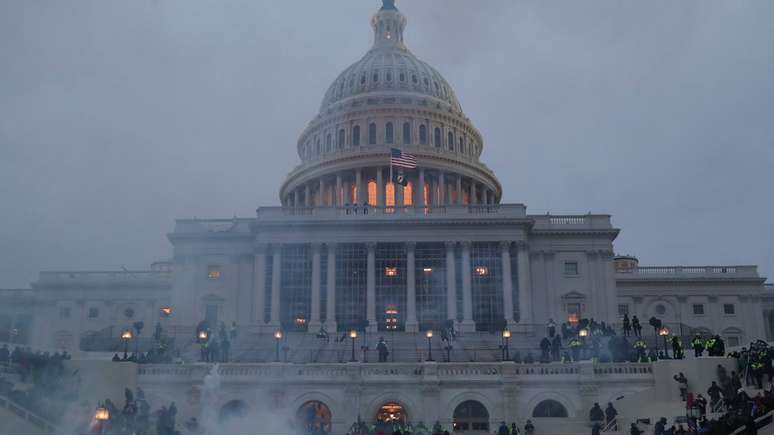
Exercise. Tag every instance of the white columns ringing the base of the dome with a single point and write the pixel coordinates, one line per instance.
(315, 193)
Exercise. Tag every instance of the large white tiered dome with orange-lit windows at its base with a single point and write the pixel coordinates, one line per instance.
(390, 100)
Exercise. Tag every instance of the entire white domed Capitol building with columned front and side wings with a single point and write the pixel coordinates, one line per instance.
(350, 248)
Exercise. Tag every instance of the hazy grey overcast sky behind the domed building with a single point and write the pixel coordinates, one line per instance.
(118, 116)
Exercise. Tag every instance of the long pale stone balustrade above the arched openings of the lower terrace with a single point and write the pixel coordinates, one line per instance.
(275, 372)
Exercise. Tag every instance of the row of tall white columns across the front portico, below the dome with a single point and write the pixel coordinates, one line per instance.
(411, 323)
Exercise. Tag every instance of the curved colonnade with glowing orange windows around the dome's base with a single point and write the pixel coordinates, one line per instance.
(373, 186)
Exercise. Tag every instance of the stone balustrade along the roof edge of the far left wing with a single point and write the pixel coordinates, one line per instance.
(129, 278)
